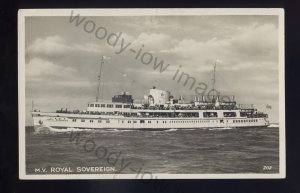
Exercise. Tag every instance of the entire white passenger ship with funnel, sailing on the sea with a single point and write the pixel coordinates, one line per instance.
(160, 110)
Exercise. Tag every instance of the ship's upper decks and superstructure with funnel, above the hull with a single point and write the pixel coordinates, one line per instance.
(162, 104)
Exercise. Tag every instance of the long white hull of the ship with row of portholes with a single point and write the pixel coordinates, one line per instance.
(86, 121)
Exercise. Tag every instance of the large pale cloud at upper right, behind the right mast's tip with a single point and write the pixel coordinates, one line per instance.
(253, 45)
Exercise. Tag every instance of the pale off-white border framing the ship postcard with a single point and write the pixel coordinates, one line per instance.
(148, 12)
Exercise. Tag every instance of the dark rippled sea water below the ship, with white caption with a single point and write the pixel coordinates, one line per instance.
(174, 151)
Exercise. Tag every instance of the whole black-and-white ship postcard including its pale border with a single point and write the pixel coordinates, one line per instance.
(151, 93)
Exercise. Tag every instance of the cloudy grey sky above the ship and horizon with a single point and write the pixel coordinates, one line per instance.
(62, 59)
